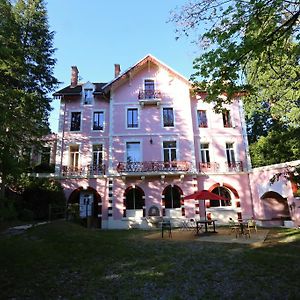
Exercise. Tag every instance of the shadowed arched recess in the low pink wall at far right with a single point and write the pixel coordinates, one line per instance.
(275, 206)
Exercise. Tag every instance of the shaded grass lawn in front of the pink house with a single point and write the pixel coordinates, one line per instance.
(62, 260)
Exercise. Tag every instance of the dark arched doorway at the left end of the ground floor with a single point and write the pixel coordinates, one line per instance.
(86, 202)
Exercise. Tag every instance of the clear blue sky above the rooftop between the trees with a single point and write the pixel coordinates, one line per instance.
(96, 34)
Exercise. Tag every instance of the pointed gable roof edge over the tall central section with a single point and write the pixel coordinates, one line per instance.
(141, 62)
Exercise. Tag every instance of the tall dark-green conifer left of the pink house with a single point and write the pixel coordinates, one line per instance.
(26, 66)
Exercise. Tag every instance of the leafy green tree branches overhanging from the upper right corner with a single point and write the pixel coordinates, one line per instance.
(242, 39)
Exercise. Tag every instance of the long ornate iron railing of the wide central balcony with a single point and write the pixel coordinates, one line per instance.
(153, 166)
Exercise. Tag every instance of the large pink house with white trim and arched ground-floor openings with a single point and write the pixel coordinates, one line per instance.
(129, 150)
